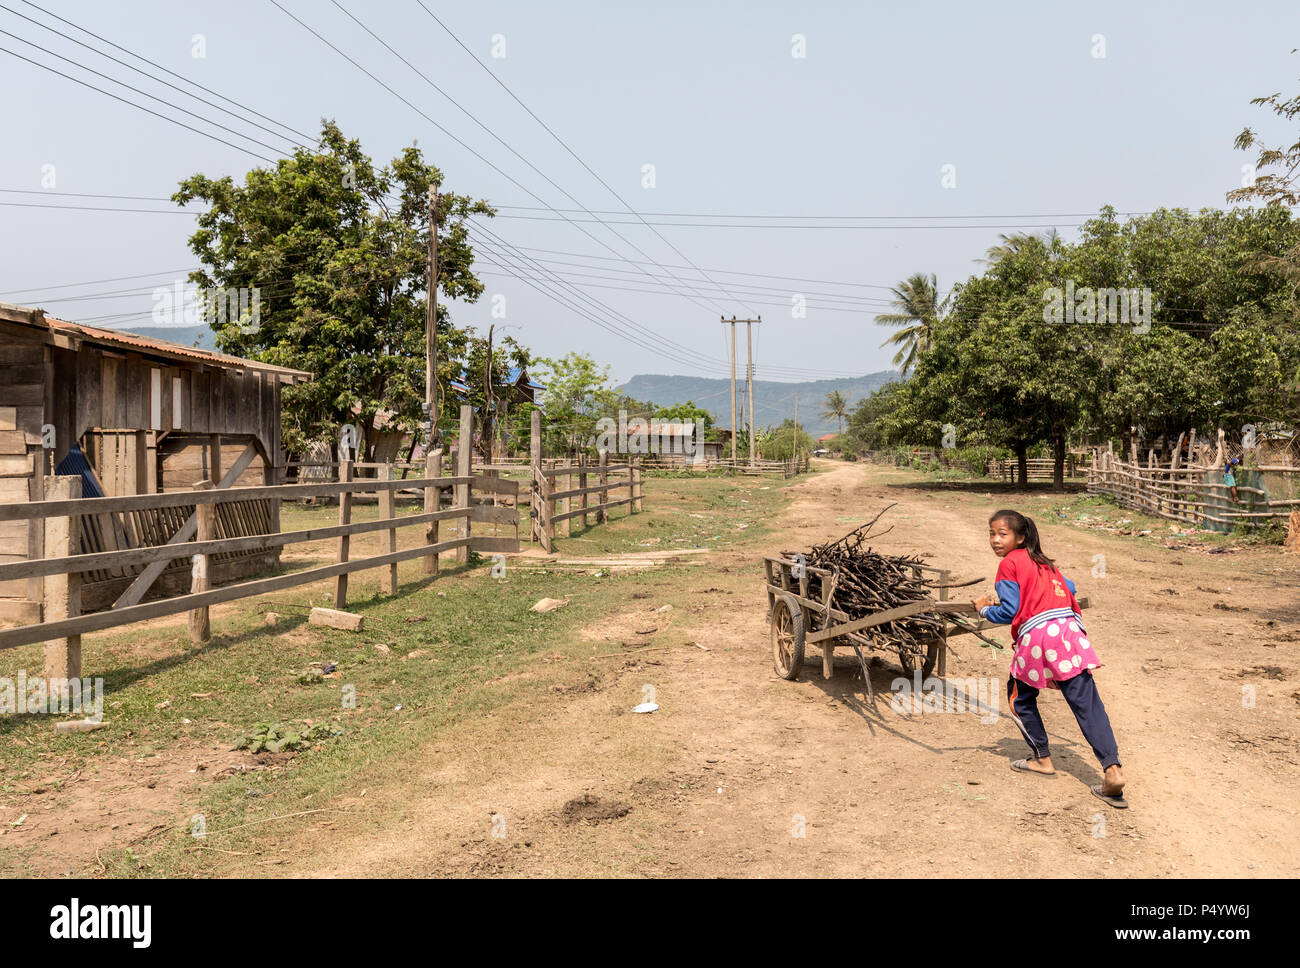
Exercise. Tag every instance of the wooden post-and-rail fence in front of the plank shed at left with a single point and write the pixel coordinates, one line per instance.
(67, 561)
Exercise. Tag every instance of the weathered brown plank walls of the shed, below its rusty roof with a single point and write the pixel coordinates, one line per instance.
(106, 397)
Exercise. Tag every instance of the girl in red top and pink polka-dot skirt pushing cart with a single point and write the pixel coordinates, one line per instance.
(1052, 650)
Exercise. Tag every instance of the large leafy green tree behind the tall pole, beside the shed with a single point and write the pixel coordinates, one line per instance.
(337, 250)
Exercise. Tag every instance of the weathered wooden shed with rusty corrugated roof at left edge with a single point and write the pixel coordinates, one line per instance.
(132, 416)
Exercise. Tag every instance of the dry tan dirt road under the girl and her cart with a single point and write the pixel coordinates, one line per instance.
(736, 763)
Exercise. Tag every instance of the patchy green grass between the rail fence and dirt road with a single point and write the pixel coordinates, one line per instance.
(453, 644)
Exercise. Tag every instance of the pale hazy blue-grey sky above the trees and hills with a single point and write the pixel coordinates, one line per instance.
(710, 94)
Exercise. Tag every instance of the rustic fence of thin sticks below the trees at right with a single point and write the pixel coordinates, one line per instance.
(1197, 496)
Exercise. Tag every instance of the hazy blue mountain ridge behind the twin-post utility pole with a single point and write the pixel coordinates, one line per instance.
(773, 402)
